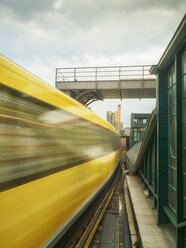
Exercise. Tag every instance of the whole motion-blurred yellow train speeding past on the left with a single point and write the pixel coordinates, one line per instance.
(55, 154)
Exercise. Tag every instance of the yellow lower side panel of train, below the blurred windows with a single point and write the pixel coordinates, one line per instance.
(32, 212)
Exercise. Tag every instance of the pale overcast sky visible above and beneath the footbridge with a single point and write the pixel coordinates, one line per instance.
(41, 35)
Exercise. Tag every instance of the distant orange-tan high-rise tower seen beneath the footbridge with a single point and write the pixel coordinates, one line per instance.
(115, 118)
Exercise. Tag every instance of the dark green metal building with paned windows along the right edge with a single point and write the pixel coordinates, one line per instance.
(161, 161)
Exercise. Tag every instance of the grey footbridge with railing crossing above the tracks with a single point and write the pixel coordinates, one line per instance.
(89, 84)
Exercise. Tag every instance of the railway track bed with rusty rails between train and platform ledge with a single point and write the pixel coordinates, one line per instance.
(104, 223)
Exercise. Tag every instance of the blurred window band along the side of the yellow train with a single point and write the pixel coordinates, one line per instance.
(38, 139)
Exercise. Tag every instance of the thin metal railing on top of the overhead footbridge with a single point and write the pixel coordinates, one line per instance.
(104, 73)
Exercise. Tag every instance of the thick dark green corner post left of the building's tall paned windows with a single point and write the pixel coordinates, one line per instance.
(162, 145)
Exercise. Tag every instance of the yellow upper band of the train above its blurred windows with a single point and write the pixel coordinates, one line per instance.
(19, 79)
